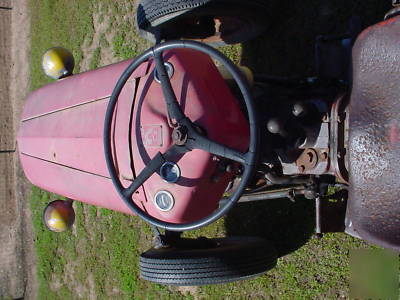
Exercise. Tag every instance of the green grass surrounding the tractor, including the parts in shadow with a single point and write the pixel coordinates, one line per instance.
(99, 258)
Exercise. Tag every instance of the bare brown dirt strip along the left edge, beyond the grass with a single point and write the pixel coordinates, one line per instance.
(17, 272)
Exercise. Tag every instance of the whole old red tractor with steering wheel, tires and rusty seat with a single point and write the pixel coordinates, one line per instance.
(170, 137)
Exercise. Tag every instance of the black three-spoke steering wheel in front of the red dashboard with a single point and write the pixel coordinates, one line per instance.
(186, 137)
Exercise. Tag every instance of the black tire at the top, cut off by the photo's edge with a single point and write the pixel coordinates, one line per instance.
(216, 22)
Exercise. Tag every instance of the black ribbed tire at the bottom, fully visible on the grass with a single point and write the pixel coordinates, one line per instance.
(229, 259)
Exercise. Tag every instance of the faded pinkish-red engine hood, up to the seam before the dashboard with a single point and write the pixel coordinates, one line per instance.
(60, 136)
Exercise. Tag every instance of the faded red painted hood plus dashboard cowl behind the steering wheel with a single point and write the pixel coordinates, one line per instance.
(61, 135)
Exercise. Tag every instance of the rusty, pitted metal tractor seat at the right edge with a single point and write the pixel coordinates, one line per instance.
(374, 201)
